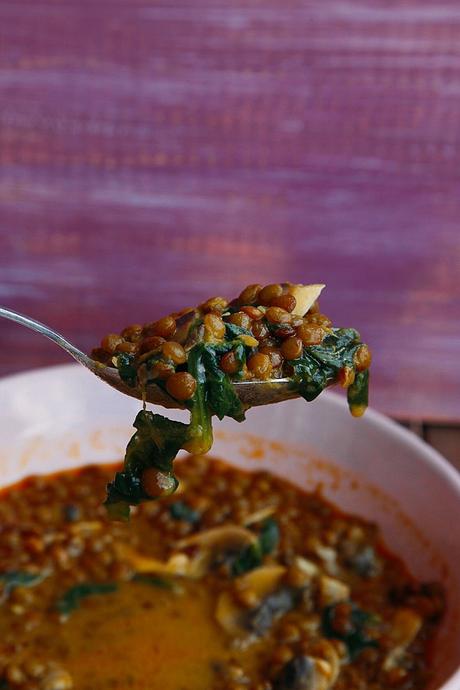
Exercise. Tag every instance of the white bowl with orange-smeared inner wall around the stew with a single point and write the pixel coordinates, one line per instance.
(62, 417)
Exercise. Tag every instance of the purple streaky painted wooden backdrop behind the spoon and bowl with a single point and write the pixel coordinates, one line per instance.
(155, 153)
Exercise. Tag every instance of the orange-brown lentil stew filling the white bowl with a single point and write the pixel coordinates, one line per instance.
(239, 581)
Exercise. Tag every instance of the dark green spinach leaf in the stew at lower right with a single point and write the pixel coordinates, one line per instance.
(355, 636)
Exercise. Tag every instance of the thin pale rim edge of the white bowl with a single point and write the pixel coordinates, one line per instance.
(433, 458)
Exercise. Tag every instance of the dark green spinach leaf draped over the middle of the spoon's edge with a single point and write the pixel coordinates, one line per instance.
(221, 395)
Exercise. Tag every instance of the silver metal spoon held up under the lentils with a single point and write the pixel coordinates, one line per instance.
(251, 393)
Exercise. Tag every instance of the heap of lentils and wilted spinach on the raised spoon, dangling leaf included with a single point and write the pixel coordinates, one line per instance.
(270, 332)
